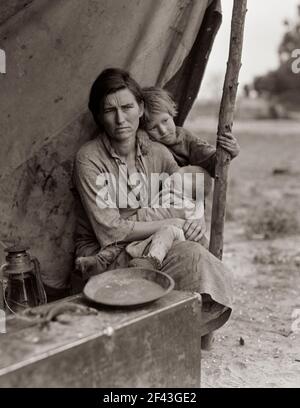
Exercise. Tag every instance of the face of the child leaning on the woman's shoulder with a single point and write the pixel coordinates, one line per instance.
(161, 127)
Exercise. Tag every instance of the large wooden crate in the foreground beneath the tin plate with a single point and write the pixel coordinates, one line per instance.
(157, 345)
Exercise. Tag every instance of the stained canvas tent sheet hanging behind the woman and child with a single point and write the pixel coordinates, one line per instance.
(54, 50)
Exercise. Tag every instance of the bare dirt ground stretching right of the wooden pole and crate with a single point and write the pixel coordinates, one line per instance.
(260, 345)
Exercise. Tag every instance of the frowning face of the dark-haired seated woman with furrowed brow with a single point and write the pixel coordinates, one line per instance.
(121, 115)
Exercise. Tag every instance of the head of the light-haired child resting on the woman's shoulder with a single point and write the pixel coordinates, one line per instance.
(160, 110)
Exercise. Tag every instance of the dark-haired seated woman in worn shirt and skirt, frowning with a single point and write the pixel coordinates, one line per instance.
(103, 168)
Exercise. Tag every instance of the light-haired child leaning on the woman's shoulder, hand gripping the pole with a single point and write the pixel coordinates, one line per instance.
(158, 121)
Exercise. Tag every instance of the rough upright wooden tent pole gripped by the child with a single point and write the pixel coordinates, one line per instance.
(225, 125)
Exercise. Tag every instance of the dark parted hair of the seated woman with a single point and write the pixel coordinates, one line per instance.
(110, 81)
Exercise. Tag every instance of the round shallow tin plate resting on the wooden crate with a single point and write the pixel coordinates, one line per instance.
(128, 286)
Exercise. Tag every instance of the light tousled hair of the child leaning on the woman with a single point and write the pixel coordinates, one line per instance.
(158, 100)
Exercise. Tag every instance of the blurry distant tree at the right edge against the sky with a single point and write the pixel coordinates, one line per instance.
(282, 85)
